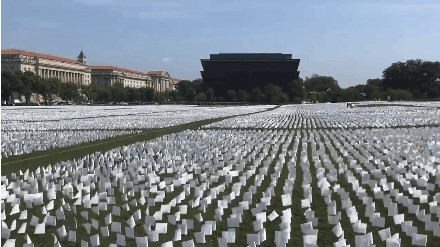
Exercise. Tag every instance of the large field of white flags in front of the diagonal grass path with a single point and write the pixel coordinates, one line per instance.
(297, 175)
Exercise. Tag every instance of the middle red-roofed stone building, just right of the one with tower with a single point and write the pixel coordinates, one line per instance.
(105, 76)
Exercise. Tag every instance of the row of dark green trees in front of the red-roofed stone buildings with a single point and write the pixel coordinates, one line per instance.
(19, 84)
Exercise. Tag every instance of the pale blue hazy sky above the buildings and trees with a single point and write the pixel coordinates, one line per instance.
(350, 40)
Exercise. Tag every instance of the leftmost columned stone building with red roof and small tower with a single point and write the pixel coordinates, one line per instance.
(48, 66)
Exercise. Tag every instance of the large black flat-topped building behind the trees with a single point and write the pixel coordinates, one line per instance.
(237, 71)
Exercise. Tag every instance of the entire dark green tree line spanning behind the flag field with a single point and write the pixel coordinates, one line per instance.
(410, 80)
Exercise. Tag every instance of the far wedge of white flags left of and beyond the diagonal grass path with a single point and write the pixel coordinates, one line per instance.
(25, 130)
